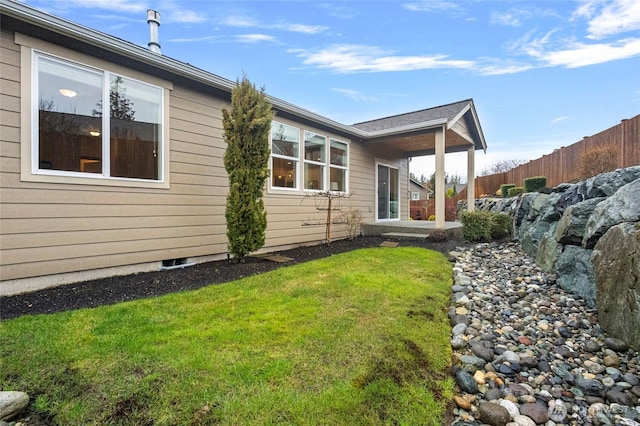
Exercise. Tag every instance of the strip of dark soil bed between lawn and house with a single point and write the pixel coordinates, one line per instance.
(112, 290)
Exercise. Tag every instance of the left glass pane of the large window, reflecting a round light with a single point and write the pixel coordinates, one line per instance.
(69, 124)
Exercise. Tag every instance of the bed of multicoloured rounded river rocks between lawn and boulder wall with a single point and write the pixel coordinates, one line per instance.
(524, 346)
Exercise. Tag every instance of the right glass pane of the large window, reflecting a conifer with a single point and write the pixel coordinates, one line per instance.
(135, 128)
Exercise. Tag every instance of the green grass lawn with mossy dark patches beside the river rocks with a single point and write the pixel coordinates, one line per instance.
(358, 338)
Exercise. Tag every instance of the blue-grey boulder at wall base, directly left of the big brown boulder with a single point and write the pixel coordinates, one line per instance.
(575, 273)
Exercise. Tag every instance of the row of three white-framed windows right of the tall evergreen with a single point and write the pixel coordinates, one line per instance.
(325, 166)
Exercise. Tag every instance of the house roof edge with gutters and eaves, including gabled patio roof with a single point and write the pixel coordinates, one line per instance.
(390, 131)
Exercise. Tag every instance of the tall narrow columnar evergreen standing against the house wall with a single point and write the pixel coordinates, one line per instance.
(246, 132)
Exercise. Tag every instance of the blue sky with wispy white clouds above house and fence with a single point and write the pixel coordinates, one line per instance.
(542, 74)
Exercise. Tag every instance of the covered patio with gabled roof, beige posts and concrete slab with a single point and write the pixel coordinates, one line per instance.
(435, 131)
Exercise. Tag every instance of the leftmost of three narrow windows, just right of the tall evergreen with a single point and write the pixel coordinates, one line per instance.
(285, 143)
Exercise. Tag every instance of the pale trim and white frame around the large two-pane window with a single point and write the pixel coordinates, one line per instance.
(29, 170)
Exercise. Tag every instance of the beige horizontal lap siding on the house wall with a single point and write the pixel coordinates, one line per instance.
(49, 228)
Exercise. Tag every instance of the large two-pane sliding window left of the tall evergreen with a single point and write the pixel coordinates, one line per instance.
(90, 122)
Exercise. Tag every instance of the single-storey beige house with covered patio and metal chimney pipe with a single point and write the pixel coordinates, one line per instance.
(86, 194)
